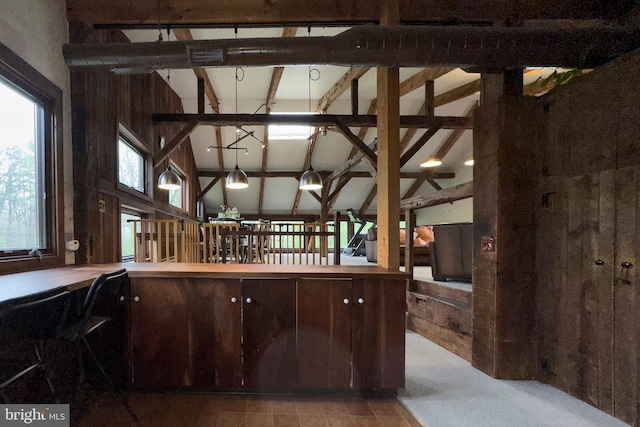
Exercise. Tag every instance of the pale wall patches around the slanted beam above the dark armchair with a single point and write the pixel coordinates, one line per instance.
(459, 211)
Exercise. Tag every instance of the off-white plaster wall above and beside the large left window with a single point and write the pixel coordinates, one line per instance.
(35, 30)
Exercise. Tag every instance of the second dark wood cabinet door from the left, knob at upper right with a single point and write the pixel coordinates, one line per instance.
(215, 328)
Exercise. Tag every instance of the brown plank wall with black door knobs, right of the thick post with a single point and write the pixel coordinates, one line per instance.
(588, 222)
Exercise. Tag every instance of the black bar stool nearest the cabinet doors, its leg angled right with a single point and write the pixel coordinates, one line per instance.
(100, 304)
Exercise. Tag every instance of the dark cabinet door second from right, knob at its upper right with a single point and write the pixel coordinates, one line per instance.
(324, 333)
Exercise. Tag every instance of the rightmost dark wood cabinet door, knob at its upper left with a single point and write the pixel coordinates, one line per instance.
(378, 333)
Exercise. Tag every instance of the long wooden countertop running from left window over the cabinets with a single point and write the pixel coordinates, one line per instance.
(79, 276)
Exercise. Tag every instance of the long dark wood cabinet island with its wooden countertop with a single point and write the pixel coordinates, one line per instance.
(253, 328)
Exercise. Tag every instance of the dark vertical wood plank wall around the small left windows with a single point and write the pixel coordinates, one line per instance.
(100, 101)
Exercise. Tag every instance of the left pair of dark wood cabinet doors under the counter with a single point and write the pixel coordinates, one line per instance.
(186, 333)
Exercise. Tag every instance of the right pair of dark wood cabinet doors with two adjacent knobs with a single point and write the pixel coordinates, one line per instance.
(351, 333)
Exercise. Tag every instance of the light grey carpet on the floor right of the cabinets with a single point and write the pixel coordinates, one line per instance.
(444, 390)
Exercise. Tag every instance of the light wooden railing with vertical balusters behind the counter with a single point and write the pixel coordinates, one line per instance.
(231, 242)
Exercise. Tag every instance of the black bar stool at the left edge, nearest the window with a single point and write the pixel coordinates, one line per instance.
(37, 318)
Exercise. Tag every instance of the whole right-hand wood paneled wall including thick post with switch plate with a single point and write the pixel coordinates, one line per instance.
(578, 307)
